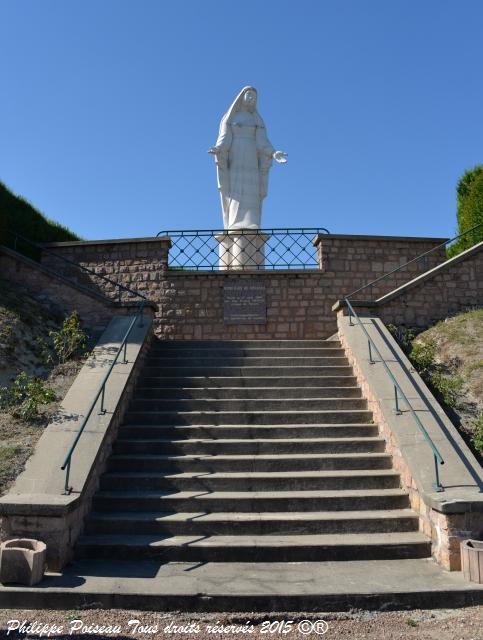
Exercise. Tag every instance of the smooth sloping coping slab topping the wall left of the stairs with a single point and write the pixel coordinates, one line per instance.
(42, 472)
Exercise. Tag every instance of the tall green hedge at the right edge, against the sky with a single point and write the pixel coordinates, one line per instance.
(470, 209)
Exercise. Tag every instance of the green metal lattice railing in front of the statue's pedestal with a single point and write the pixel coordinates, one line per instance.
(253, 249)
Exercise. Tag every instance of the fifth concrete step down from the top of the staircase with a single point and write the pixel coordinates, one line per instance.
(249, 382)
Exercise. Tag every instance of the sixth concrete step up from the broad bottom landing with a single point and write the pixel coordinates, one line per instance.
(253, 446)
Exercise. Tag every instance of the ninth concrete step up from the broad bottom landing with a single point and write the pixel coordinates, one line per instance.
(246, 405)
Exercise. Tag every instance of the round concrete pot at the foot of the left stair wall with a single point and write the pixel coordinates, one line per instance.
(22, 560)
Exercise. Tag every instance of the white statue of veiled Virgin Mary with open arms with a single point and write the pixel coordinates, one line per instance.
(243, 156)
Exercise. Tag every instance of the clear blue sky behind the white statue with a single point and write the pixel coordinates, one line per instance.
(107, 109)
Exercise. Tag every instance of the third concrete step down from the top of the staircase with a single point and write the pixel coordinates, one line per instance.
(208, 361)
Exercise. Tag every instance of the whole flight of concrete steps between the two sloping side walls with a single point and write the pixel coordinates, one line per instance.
(250, 451)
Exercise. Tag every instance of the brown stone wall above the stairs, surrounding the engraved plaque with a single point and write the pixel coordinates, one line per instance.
(298, 302)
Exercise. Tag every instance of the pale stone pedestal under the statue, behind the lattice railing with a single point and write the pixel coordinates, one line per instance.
(240, 251)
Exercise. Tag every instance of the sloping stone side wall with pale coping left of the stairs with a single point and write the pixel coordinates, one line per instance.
(47, 514)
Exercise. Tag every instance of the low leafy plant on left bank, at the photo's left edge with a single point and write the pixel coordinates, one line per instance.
(24, 396)
